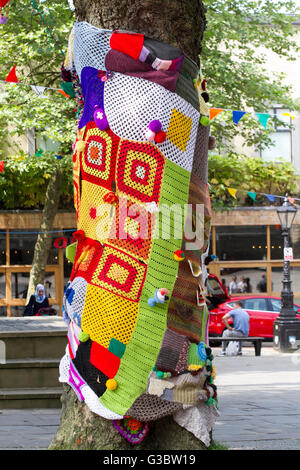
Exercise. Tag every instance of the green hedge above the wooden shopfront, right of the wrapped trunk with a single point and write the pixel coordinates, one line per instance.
(247, 174)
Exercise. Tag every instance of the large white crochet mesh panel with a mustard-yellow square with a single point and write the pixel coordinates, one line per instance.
(131, 103)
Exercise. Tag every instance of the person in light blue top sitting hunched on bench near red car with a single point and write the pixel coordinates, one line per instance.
(240, 326)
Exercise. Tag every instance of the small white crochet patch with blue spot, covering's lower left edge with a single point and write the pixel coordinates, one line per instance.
(74, 299)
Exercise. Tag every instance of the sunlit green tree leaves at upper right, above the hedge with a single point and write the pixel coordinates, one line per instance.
(239, 34)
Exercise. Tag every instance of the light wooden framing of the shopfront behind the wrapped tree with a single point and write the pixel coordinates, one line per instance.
(26, 222)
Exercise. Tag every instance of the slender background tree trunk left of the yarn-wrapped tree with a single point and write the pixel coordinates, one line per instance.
(44, 239)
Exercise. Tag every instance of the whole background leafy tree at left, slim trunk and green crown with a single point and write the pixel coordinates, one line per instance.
(34, 40)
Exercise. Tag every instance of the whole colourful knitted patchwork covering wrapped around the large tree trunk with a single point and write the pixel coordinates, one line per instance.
(135, 304)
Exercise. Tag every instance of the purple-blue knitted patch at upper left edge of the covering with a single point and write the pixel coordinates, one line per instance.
(93, 93)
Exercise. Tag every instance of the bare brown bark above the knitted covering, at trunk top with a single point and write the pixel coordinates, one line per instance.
(180, 23)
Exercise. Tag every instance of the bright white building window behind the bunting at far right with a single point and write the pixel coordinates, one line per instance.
(281, 138)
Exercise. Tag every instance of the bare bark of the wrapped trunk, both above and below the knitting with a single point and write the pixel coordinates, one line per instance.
(180, 23)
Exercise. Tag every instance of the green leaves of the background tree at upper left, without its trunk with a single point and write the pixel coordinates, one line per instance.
(34, 40)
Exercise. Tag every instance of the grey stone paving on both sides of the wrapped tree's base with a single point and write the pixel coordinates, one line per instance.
(258, 401)
